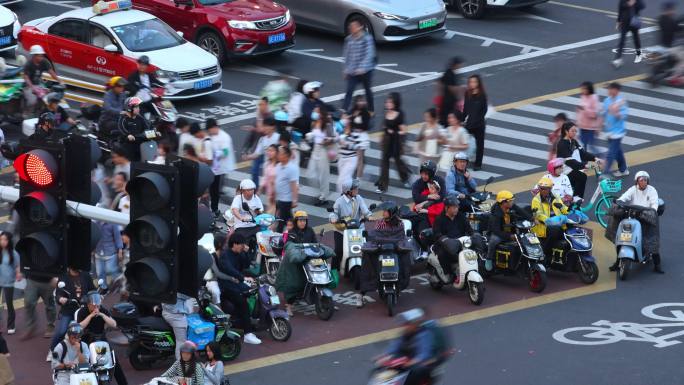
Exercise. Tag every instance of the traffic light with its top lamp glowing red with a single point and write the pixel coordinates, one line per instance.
(42, 207)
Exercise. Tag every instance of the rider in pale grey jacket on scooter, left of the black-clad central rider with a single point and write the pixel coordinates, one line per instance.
(349, 206)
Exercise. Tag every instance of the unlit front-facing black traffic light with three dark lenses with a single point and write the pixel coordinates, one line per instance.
(152, 272)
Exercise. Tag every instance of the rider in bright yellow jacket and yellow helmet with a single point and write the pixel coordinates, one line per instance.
(544, 209)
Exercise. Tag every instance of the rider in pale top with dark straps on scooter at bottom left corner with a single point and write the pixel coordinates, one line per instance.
(68, 354)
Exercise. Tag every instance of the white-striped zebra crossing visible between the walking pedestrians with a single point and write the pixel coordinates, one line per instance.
(516, 143)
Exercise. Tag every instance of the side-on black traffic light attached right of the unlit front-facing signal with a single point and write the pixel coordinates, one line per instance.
(195, 221)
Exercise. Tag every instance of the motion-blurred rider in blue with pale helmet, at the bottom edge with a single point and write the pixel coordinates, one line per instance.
(423, 343)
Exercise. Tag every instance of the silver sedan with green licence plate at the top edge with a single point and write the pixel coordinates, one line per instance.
(387, 20)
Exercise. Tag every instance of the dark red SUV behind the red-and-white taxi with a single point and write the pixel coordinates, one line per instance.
(227, 28)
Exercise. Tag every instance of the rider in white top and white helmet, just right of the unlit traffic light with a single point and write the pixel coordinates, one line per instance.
(244, 219)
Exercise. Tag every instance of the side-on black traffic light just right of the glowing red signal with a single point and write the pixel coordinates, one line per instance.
(82, 154)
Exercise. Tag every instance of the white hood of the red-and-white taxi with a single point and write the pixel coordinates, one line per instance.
(184, 57)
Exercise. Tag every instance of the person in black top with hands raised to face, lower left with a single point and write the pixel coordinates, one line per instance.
(94, 319)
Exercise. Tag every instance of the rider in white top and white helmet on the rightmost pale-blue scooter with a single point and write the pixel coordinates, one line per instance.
(644, 195)
